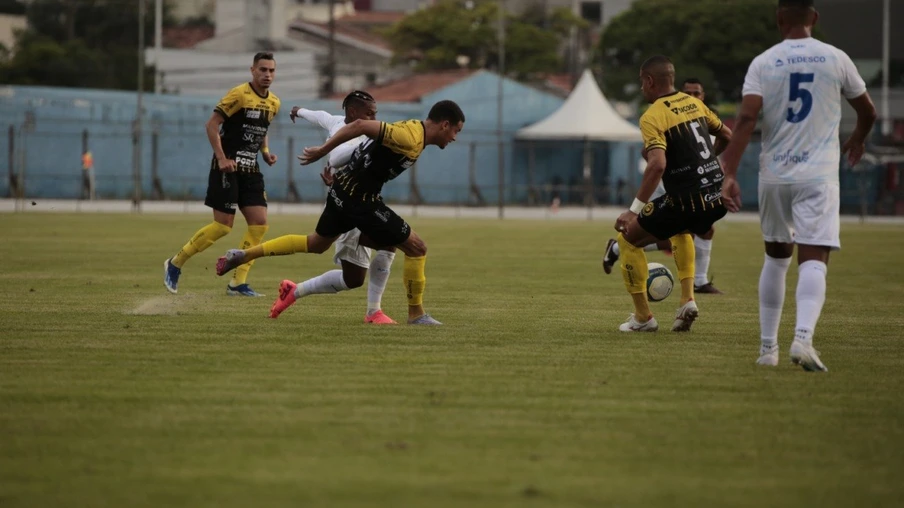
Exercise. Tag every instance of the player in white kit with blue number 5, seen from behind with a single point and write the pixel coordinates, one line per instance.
(798, 85)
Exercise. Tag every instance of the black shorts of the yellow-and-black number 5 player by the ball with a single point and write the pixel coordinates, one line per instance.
(666, 216)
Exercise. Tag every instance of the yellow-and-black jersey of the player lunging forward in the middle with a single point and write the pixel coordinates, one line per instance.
(376, 161)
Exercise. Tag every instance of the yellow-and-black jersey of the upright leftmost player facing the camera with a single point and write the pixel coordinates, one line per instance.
(247, 117)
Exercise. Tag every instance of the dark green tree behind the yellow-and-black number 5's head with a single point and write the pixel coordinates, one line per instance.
(712, 40)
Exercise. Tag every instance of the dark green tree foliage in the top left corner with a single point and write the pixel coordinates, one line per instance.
(80, 43)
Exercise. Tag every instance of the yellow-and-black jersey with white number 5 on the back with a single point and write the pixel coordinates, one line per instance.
(681, 125)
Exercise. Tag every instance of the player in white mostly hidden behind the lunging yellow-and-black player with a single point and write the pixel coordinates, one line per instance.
(353, 257)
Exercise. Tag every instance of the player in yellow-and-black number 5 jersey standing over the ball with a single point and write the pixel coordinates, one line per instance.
(677, 146)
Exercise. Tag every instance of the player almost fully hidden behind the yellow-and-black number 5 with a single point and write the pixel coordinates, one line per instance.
(702, 243)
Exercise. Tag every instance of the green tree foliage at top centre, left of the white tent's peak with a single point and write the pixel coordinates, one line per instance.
(437, 36)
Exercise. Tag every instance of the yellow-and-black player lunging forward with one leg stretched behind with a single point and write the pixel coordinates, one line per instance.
(354, 200)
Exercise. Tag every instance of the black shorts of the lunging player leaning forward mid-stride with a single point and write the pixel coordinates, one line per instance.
(376, 220)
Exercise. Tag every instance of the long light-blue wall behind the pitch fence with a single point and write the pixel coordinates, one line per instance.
(52, 148)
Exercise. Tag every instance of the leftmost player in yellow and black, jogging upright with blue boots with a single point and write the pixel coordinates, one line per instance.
(237, 131)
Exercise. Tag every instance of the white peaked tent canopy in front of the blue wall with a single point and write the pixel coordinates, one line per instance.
(585, 115)
